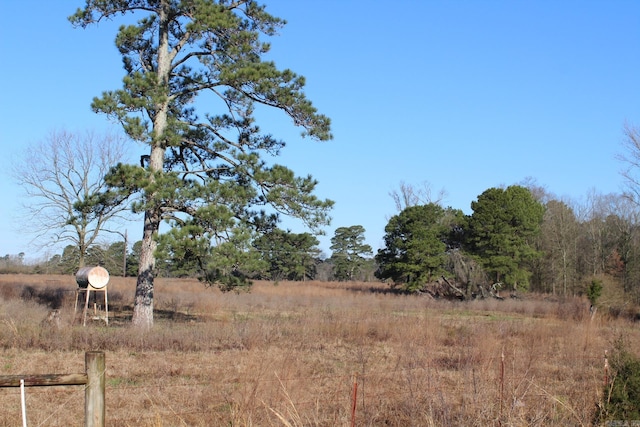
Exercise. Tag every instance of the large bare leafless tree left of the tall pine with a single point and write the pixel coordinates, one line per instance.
(59, 175)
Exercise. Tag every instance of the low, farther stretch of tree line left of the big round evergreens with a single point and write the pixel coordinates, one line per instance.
(277, 255)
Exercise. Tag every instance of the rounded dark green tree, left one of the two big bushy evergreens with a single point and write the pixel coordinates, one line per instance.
(414, 252)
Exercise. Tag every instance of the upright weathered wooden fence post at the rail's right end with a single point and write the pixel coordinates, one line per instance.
(94, 408)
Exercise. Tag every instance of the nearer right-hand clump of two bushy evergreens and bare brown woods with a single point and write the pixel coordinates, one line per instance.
(516, 238)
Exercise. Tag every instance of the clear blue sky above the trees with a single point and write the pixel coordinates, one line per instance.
(465, 95)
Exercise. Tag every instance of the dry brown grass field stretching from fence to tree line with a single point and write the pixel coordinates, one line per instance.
(290, 354)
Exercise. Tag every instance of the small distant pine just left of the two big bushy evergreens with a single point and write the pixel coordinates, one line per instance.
(350, 252)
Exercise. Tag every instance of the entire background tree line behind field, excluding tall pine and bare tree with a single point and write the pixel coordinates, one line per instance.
(518, 238)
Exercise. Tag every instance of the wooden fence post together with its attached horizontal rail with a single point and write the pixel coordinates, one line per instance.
(93, 379)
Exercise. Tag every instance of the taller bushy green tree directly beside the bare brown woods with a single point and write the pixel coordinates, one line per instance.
(501, 233)
